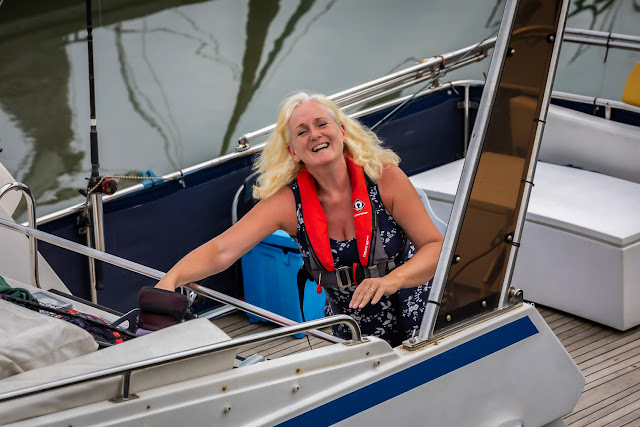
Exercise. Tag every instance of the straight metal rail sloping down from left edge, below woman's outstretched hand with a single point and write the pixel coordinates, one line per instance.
(156, 274)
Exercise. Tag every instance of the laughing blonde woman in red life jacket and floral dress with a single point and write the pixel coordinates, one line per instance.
(325, 179)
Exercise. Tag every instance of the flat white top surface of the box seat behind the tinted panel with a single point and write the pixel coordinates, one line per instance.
(586, 203)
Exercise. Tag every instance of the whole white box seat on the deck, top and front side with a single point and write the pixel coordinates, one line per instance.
(580, 249)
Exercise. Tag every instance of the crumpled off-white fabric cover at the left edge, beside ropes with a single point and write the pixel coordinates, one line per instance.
(30, 340)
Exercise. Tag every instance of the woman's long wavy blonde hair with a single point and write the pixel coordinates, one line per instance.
(278, 169)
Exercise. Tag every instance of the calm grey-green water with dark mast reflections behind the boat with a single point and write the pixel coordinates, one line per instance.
(179, 81)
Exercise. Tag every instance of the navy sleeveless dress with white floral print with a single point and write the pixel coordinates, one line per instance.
(379, 319)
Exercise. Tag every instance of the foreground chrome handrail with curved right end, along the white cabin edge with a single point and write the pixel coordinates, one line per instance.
(126, 369)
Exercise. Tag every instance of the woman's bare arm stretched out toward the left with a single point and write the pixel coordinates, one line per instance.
(219, 253)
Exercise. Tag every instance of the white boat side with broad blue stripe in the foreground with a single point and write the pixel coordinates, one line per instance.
(510, 368)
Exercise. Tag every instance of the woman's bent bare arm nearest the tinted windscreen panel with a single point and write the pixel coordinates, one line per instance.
(404, 204)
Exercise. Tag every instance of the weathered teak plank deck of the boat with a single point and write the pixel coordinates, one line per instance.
(609, 359)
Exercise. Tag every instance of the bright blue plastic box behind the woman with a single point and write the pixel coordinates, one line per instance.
(270, 272)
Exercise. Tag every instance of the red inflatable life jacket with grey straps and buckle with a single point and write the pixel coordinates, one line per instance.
(373, 258)
